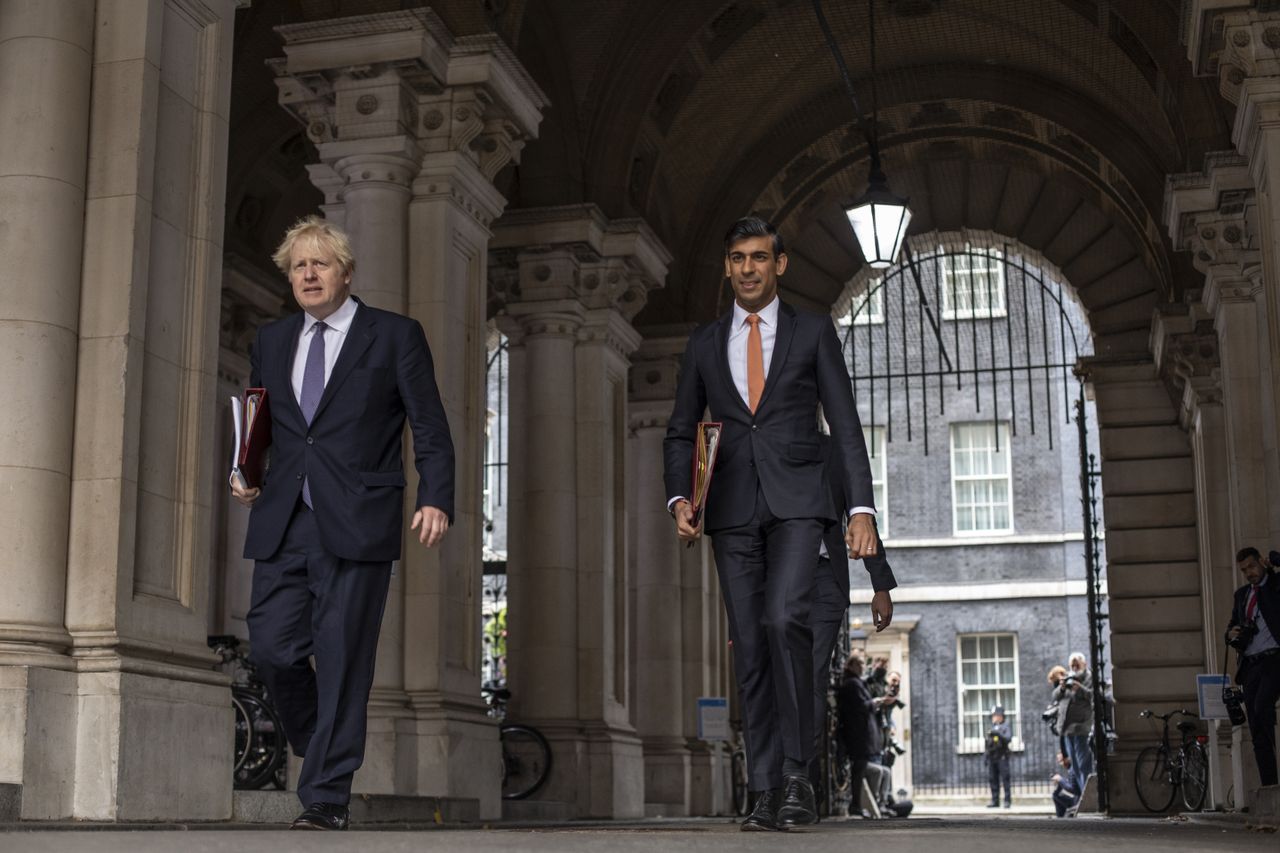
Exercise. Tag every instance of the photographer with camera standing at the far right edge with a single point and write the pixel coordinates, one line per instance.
(1252, 633)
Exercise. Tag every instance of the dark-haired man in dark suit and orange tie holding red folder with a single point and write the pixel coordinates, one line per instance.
(764, 370)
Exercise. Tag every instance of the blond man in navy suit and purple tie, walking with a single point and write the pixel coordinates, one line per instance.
(342, 380)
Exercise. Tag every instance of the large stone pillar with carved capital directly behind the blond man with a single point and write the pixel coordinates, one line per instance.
(413, 126)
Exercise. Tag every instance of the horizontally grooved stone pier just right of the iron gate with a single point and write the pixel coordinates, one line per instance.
(1154, 576)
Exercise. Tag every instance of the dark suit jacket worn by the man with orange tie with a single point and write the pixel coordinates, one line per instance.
(778, 448)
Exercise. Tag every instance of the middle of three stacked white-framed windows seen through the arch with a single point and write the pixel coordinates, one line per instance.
(982, 490)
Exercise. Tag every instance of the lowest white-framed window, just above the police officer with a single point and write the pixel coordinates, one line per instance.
(988, 676)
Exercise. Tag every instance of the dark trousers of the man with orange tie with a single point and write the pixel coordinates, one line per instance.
(767, 576)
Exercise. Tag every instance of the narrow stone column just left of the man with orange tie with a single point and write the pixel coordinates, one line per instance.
(657, 564)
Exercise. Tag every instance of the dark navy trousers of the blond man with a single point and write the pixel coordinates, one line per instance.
(308, 603)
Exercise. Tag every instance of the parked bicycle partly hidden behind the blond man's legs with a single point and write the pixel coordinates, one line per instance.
(260, 745)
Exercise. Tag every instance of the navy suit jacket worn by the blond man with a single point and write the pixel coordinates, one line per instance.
(351, 451)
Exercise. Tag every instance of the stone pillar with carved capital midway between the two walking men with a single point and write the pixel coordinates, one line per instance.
(578, 282)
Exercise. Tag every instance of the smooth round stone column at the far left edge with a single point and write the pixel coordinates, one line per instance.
(45, 72)
